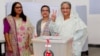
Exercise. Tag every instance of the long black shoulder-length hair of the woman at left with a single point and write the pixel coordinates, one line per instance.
(13, 13)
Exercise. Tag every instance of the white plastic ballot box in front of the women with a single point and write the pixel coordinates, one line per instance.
(59, 46)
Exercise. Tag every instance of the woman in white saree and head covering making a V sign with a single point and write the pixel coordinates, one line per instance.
(69, 24)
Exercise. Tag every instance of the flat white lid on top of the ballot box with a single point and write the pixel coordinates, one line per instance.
(53, 39)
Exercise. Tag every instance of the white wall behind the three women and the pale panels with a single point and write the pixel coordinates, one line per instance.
(92, 20)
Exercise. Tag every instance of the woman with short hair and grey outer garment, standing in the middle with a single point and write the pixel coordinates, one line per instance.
(43, 23)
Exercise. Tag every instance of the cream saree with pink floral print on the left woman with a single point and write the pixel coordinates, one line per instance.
(20, 34)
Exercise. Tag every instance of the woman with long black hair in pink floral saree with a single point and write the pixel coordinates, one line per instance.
(18, 32)
